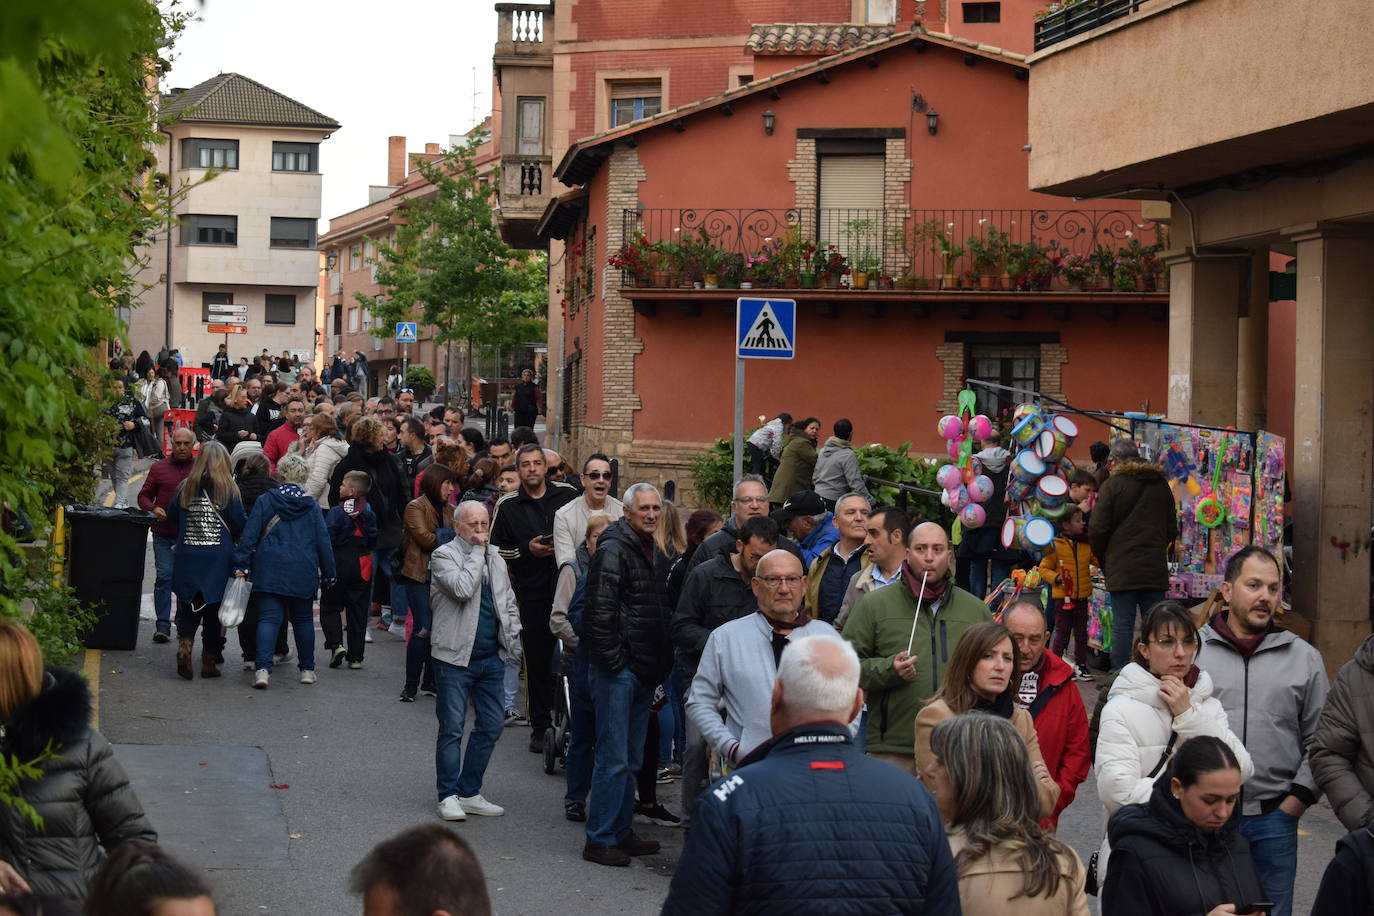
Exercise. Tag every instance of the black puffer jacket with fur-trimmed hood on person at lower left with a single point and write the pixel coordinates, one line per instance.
(85, 797)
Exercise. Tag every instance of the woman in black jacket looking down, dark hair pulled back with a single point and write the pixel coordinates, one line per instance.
(1181, 852)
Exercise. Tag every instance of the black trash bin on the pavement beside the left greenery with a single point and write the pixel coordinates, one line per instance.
(105, 568)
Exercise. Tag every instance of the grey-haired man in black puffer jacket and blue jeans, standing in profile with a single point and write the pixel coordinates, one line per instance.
(626, 630)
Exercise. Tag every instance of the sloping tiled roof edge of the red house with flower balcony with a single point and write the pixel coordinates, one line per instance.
(583, 159)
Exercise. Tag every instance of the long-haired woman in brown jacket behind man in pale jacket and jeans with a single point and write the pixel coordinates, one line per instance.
(425, 518)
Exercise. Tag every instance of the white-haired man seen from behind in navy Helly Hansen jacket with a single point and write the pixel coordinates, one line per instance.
(811, 799)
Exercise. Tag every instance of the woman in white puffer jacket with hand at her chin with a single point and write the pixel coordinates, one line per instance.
(1162, 694)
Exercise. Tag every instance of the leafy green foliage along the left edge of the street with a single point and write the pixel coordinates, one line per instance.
(79, 197)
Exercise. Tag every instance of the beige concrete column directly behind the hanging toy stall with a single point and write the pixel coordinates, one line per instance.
(1204, 323)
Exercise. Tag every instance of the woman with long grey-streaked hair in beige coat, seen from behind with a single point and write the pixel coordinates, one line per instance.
(987, 793)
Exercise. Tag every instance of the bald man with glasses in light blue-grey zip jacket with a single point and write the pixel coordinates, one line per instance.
(740, 664)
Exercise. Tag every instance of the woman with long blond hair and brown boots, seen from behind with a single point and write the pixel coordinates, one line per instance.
(210, 517)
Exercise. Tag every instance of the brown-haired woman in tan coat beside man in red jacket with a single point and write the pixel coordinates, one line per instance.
(979, 680)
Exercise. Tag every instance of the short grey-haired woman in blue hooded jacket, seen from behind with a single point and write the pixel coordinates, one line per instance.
(286, 553)
